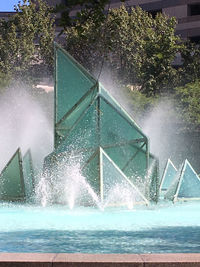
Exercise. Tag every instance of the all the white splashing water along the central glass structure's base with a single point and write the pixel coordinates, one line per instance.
(67, 185)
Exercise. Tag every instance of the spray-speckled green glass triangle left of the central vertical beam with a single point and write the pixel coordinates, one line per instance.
(85, 133)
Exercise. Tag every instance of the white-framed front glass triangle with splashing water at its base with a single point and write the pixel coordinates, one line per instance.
(117, 188)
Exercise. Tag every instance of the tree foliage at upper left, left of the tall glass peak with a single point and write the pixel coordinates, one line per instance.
(26, 40)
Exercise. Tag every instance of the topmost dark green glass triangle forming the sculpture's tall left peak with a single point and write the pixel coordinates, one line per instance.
(72, 82)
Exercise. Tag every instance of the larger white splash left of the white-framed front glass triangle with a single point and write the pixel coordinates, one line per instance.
(66, 185)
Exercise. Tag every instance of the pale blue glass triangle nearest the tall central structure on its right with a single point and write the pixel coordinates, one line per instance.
(169, 173)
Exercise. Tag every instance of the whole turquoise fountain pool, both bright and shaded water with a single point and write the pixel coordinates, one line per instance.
(162, 228)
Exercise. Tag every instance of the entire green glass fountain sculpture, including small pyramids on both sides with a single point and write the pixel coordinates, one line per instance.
(90, 125)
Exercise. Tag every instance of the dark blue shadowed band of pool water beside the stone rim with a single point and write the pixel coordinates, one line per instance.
(157, 240)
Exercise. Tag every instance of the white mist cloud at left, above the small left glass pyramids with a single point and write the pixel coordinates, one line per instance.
(24, 124)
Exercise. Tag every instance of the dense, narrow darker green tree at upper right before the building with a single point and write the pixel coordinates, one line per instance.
(159, 51)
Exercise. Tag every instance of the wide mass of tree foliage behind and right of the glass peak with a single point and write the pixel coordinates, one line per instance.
(137, 48)
